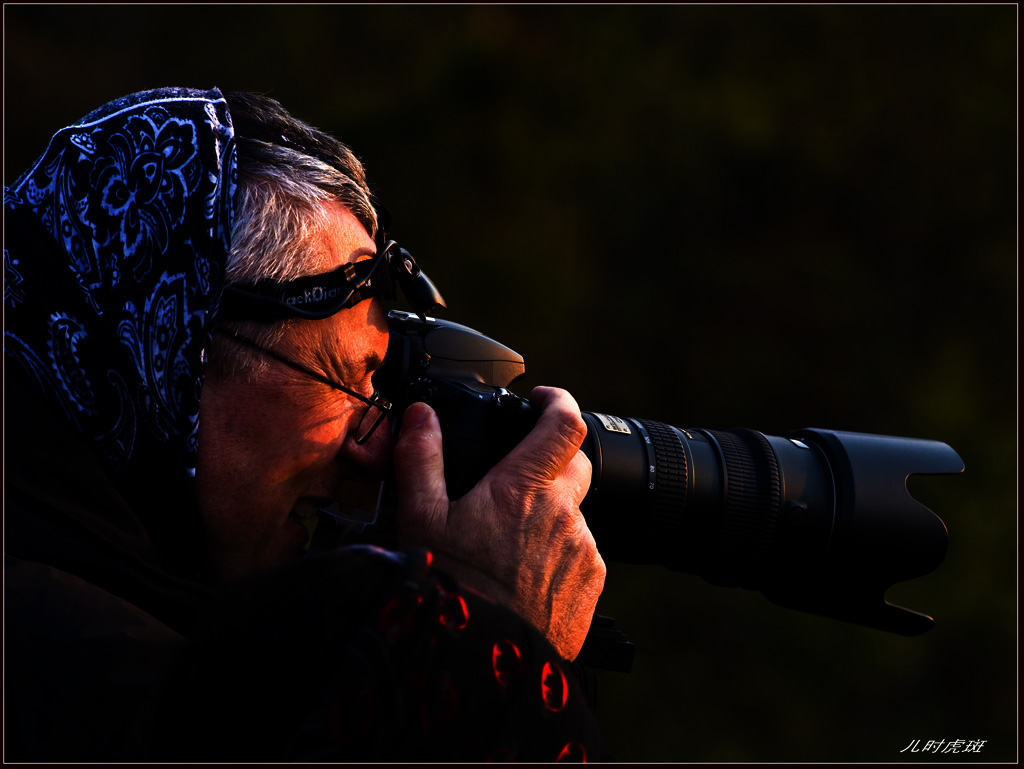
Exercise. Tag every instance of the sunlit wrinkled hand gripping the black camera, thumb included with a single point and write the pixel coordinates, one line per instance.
(519, 537)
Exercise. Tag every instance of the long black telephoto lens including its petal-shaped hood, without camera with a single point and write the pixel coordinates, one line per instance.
(820, 521)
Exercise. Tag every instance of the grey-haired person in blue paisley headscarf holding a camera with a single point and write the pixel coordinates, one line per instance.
(174, 434)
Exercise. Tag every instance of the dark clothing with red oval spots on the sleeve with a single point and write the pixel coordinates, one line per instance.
(359, 655)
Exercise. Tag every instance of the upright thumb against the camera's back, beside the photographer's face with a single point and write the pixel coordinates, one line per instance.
(419, 468)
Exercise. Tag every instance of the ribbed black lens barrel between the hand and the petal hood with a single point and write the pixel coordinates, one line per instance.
(652, 484)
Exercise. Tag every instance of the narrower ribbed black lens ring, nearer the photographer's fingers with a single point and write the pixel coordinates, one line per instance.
(669, 502)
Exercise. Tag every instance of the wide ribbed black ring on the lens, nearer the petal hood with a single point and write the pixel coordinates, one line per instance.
(751, 510)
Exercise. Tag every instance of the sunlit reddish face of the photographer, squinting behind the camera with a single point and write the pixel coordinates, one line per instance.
(276, 449)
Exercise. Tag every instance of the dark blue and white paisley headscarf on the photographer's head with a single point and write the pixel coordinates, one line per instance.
(116, 243)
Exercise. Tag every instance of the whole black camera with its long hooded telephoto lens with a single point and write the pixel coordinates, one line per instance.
(818, 521)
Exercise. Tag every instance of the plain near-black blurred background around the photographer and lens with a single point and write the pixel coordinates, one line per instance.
(775, 218)
